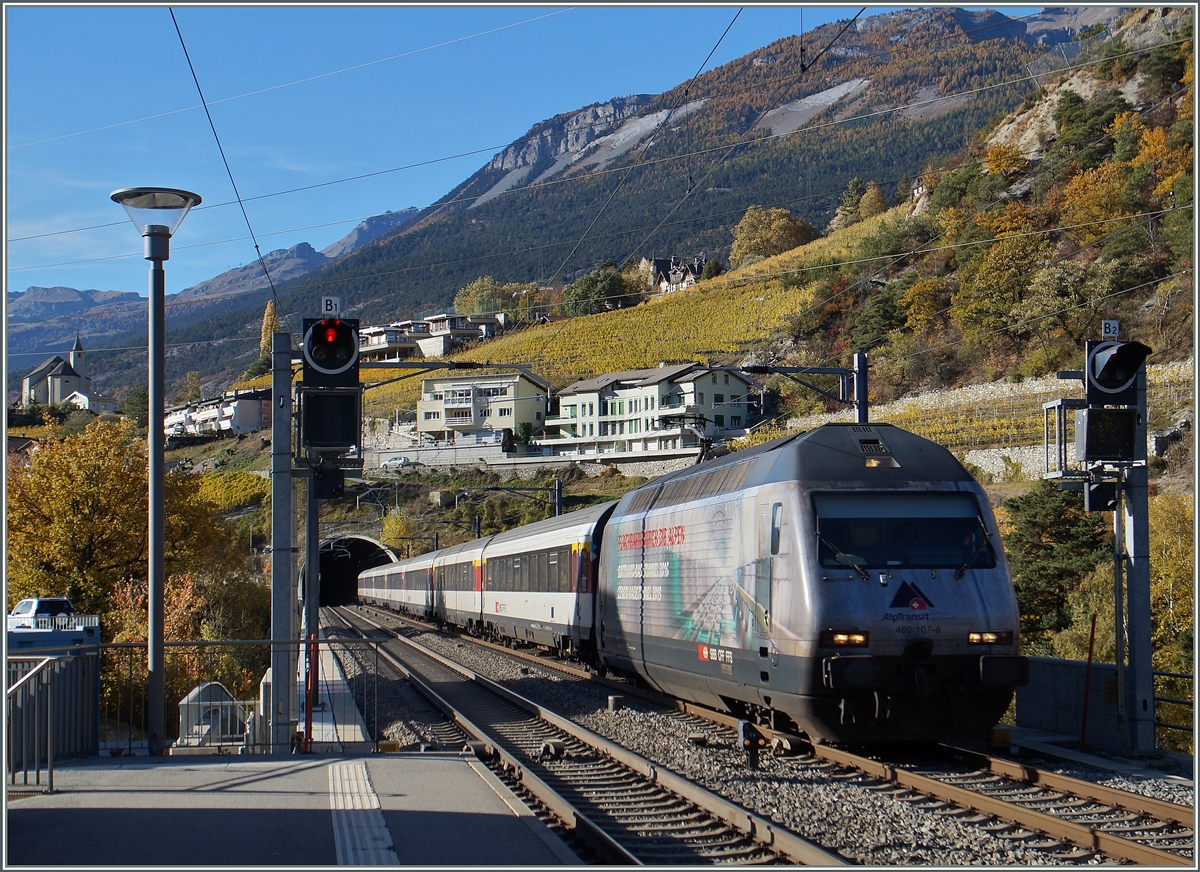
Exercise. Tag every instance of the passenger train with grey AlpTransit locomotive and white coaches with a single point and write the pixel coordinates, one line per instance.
(849, 582)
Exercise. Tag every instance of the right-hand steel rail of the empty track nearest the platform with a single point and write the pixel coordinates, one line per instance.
(761, 831)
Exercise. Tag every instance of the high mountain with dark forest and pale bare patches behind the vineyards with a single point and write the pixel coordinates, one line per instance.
(892, 93)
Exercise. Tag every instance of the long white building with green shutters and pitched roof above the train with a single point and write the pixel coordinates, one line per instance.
(661, 410)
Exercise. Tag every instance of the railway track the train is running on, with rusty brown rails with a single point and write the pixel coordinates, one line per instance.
(1075, 820)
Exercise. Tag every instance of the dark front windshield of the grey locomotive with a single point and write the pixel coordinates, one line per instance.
(902, 531)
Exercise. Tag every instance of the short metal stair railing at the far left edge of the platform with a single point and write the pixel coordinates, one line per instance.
(29, 724)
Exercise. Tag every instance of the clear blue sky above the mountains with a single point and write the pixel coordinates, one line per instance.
(100, 98)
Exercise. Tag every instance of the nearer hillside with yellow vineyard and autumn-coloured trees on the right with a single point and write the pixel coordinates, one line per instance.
(1001, 268)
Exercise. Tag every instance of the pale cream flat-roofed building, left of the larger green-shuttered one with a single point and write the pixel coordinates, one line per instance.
(478, 410)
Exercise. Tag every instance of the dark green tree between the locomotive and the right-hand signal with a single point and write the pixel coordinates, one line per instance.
(1053, 544)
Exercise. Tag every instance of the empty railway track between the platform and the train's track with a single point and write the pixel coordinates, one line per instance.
(628, 810)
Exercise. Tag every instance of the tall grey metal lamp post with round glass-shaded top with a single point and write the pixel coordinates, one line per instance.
(158, 214)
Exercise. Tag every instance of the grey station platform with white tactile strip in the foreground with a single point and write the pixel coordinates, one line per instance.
(439, 809)
